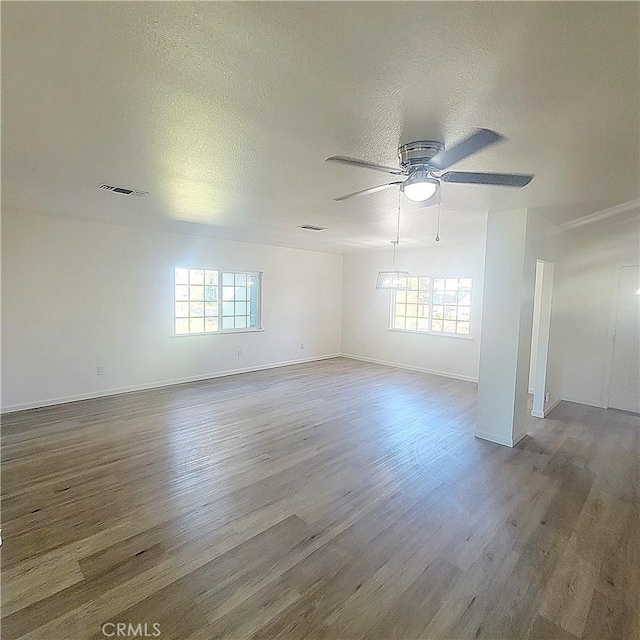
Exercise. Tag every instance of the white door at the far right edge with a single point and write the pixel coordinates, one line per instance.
(624, 388)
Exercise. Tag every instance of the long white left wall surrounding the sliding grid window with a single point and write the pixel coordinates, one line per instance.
(77, 295)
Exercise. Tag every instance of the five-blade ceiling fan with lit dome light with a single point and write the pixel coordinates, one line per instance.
(421, 161)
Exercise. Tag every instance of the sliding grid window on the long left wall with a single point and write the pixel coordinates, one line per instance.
(209, 301)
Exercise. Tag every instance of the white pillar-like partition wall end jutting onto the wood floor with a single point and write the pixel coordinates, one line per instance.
(515, 241)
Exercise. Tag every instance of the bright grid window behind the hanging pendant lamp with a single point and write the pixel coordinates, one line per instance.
(433, 305)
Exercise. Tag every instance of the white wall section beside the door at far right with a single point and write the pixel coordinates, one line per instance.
(585, 292)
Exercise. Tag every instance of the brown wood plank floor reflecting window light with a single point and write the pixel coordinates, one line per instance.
(336, 499)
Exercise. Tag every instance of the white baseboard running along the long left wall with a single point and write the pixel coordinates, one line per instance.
(157, 385)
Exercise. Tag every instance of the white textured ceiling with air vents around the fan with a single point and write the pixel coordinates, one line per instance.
(225, 112)
